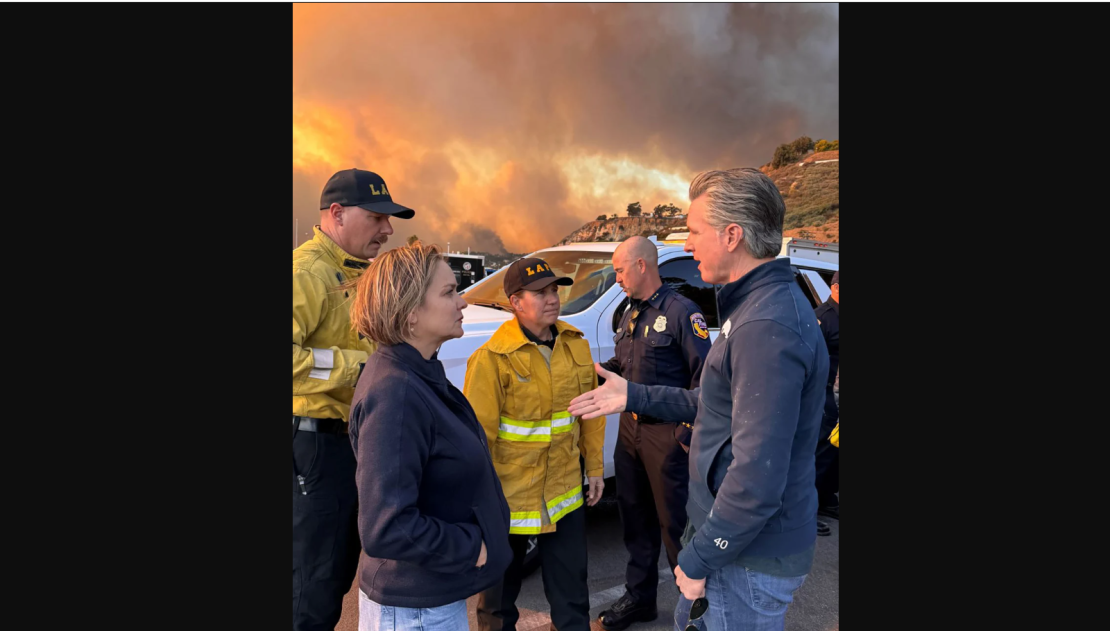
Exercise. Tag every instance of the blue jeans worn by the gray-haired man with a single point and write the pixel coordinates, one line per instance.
(742, 600)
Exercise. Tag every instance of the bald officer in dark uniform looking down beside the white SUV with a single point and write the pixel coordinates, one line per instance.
(663, 340)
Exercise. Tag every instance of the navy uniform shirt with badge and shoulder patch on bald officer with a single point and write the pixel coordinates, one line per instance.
(662, 342)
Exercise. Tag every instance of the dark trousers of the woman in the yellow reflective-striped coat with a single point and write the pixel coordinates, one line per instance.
(563, 564)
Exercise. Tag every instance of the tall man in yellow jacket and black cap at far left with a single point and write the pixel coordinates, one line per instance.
(328, 356)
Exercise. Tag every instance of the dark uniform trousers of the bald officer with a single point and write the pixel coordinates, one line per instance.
(653, 483)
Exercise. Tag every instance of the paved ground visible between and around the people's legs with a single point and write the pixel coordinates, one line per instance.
(816, 607)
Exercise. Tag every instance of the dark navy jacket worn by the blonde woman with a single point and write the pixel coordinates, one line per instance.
(428, 492)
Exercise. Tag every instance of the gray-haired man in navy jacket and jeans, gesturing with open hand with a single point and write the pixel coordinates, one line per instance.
(753, 505)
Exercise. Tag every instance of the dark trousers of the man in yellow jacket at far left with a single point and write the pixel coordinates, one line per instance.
(326, 534)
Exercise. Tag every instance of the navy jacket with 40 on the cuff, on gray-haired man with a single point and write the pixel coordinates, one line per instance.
(759, 412)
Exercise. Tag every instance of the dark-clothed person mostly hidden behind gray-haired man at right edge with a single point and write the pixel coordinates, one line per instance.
(829, 457)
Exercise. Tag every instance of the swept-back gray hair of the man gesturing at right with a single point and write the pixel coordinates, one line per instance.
(750, 199)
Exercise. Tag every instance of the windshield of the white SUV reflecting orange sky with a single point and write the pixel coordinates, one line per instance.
(592, 273)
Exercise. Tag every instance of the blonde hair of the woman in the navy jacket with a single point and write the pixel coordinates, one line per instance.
(391, 291)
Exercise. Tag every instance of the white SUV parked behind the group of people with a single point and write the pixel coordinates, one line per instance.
(596, 304)
